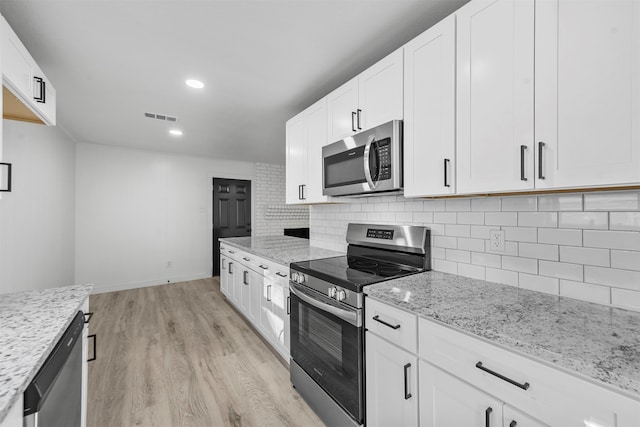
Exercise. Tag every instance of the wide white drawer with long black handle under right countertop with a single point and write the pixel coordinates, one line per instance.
(553, 396)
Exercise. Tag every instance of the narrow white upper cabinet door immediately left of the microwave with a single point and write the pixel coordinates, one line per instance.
(316, 138)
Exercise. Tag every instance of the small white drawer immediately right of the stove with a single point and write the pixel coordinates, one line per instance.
(396, 326)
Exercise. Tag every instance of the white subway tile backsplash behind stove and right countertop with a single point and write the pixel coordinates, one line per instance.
(582, 245)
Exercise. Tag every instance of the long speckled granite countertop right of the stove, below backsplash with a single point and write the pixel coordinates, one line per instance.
(599, 342)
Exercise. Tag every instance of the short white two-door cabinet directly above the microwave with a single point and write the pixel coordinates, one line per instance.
(370, 99)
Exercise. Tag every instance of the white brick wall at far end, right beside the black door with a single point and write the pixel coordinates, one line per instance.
(272, 215)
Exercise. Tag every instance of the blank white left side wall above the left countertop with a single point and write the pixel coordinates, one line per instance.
(37, 218)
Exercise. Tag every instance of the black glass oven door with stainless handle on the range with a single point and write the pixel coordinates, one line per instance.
(327, 343)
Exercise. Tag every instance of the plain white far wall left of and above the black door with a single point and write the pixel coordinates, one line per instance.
(138, 210)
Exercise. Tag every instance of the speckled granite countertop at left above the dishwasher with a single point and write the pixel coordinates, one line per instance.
(31, 323)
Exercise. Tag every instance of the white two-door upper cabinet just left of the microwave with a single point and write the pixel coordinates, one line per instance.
(306, 134)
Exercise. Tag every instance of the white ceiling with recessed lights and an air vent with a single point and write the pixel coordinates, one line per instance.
(262, 62)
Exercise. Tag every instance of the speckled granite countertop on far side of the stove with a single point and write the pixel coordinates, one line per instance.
(281, 249)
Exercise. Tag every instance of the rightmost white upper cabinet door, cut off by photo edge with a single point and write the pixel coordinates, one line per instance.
(588, 92)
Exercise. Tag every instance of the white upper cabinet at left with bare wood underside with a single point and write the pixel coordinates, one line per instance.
(22, 76)
